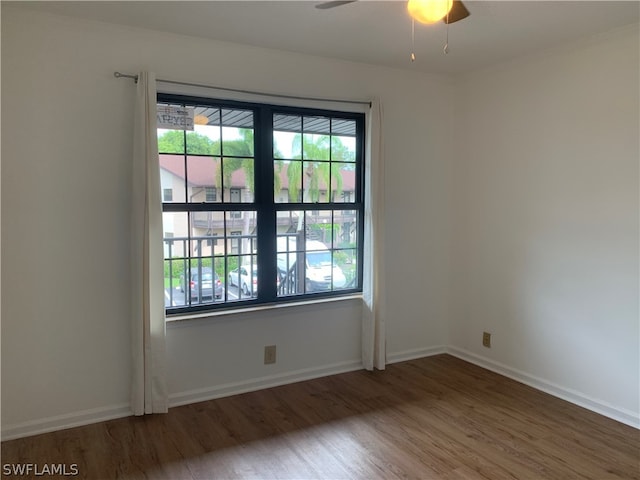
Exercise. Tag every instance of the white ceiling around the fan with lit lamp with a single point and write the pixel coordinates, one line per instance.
(370, 31)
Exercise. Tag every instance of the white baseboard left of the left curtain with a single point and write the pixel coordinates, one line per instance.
(62, 422)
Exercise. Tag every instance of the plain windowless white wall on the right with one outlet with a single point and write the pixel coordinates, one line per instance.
(546, 221)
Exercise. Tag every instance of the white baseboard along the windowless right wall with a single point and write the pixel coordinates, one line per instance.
(603, 408)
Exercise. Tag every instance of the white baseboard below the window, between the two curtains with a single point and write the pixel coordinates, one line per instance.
(235, 388)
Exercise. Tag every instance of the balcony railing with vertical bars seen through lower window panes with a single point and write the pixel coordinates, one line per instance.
(198, 269)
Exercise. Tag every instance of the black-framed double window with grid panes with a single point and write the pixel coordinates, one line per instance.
(266, 204)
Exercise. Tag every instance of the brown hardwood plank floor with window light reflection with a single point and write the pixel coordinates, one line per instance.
(432, 418)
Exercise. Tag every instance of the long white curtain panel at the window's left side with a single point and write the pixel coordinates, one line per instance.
(149, 391)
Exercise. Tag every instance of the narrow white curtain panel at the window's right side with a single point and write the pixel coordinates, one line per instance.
(373, 323)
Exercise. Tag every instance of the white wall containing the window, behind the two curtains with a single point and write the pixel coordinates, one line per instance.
(66, 143)
